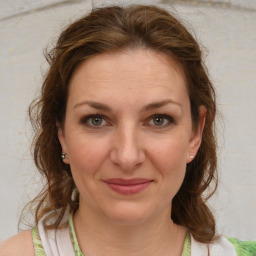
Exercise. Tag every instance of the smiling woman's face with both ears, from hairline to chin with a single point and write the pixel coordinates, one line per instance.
(128, 134)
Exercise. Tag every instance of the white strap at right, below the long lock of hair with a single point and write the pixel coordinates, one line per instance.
(222, 247)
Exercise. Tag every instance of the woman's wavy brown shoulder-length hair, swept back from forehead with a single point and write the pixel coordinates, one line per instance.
(111, 29)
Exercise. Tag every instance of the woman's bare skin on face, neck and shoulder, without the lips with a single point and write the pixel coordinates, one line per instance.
(128, 142)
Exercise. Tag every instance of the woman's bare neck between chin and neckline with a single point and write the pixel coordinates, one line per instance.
(156, 236)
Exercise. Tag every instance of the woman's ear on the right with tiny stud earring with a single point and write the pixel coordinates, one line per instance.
(196, 135)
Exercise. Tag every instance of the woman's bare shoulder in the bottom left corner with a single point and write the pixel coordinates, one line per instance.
(20, 244)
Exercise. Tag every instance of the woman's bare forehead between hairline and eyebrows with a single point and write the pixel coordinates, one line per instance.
(132, 73)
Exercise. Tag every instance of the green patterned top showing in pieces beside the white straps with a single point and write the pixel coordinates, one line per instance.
(242, 248)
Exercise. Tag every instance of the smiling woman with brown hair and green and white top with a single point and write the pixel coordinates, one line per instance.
(125, 139)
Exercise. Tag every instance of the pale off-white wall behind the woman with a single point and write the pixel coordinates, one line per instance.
(227, 29)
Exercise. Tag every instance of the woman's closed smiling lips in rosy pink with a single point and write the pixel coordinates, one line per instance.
(128, 186)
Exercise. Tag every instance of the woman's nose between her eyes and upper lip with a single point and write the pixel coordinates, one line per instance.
(127, 150)
